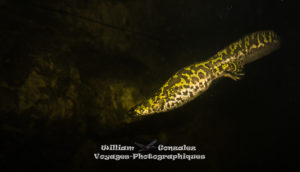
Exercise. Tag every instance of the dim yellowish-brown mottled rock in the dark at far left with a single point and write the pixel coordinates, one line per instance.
(51, 88)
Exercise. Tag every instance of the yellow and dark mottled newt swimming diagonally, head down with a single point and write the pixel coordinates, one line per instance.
(189, 82)
